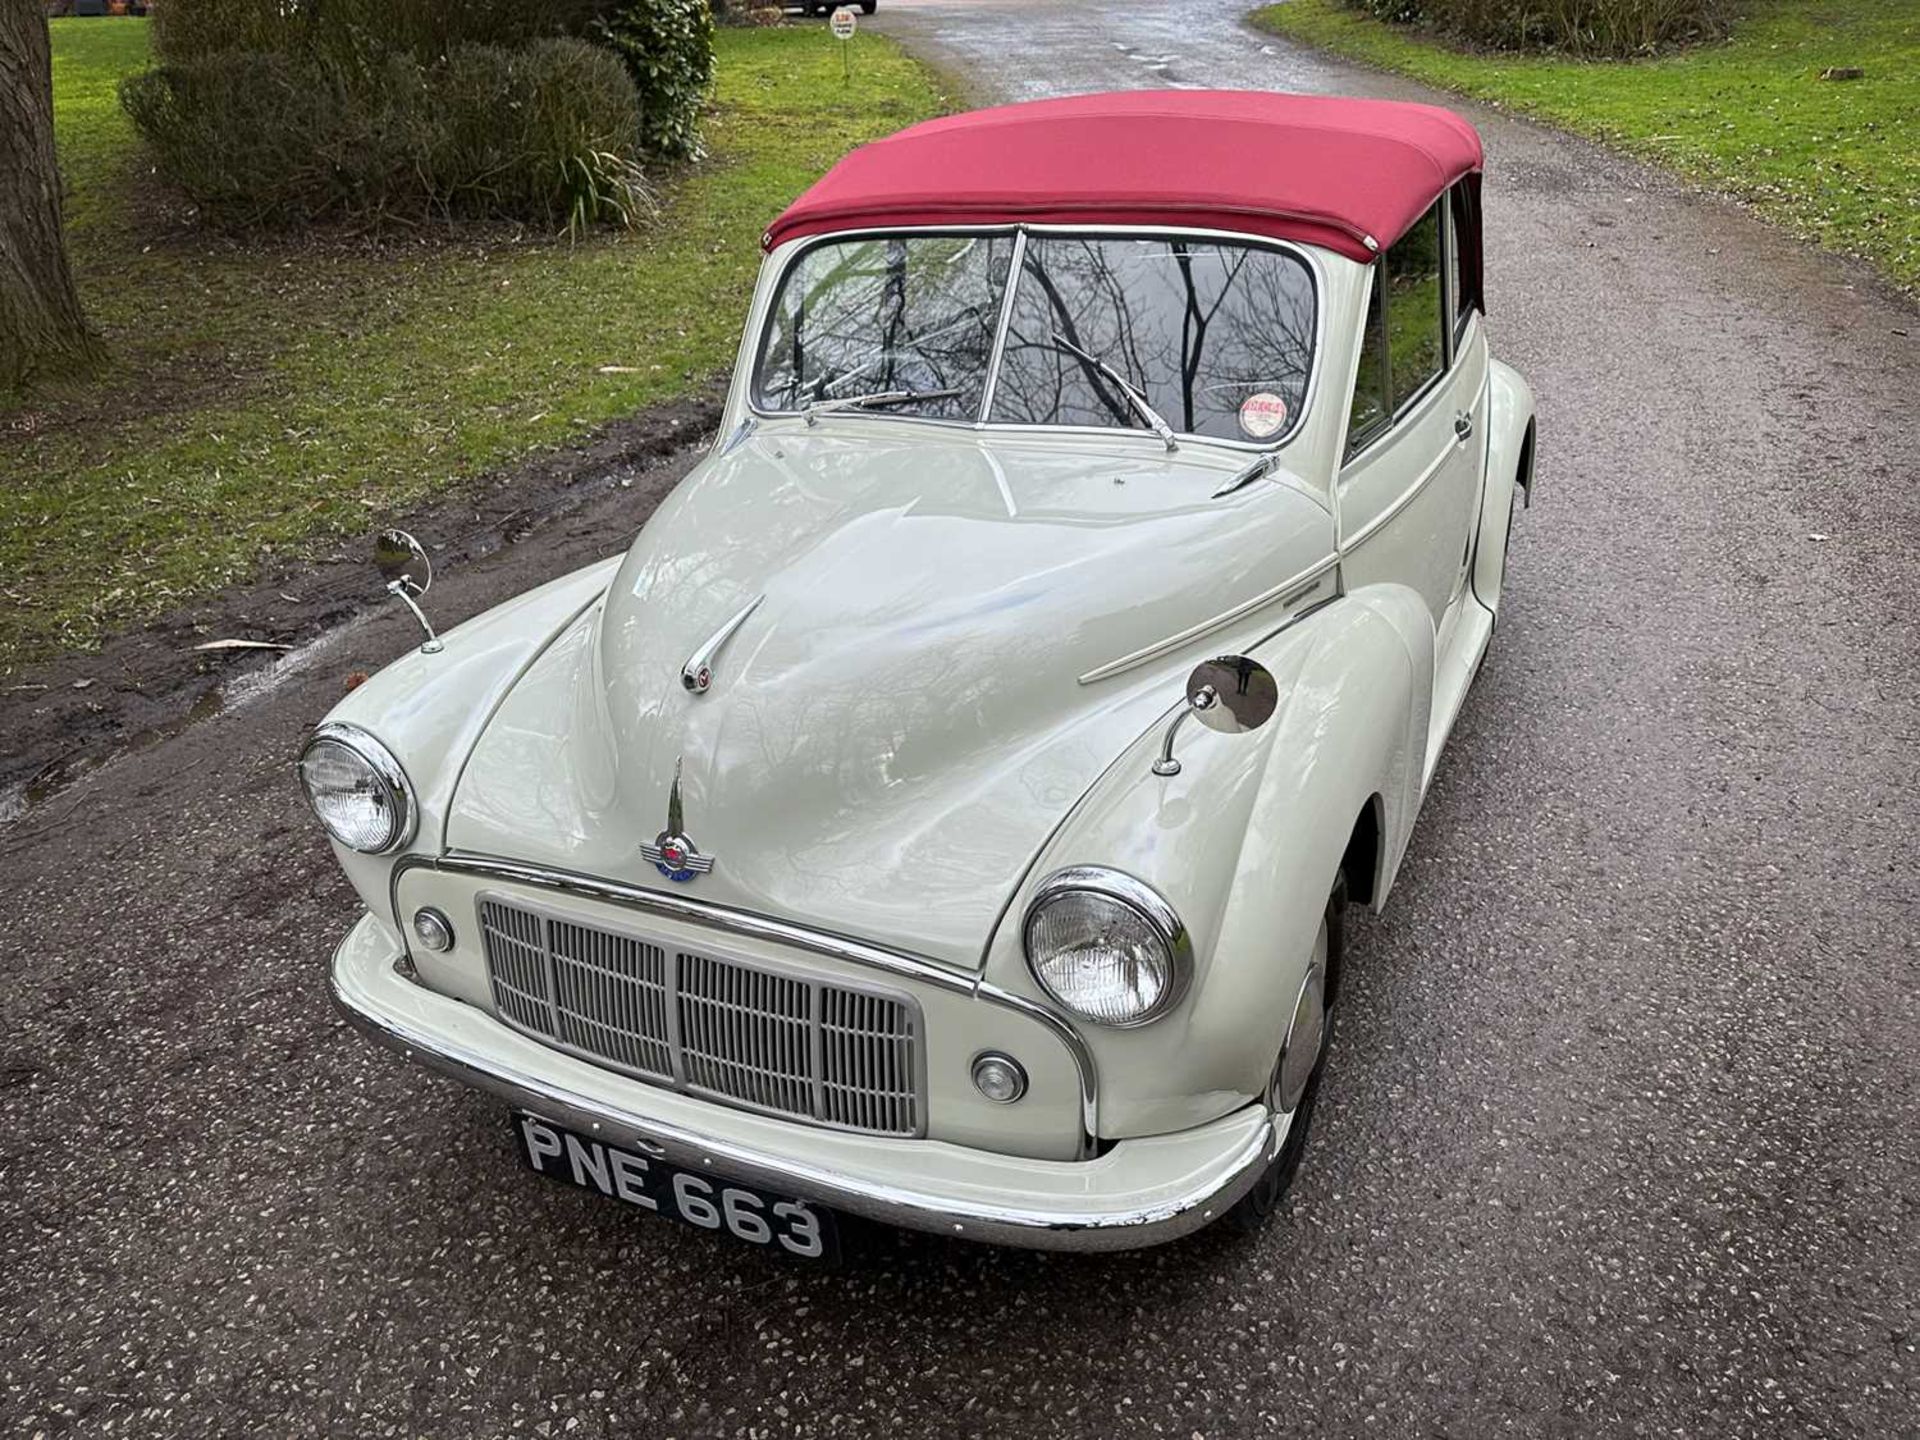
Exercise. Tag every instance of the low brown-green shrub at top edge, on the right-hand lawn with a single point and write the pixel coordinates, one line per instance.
(1598, 28)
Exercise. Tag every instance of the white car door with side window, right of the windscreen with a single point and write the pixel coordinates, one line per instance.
(1410, 487)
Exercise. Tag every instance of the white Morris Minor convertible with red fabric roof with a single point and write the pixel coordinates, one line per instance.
(946, 809)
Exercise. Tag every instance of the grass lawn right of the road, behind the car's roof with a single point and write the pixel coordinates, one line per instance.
(1833, 160)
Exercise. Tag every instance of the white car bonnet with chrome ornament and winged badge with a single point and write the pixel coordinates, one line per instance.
(901, 640)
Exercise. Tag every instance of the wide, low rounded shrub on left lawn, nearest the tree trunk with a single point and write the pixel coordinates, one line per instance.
(262, 137)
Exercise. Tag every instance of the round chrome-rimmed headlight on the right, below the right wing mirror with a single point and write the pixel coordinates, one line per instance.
(1107, 948)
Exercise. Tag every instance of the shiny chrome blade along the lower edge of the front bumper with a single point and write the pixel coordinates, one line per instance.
(936, 1214)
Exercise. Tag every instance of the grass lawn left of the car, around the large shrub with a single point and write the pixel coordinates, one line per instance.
(274, 393)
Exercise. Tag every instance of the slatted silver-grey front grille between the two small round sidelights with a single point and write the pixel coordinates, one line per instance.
(763, 1040)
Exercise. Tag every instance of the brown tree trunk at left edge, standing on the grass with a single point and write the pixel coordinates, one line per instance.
(43, 331)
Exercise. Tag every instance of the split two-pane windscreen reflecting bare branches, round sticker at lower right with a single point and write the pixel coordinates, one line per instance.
(1212, 337)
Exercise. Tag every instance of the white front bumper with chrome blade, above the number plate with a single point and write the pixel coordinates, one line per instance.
(1136, 1195)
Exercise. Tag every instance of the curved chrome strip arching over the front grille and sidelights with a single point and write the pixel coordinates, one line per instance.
(777, 932)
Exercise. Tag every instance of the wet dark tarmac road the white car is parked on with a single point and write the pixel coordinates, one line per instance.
(1620, 1134)
